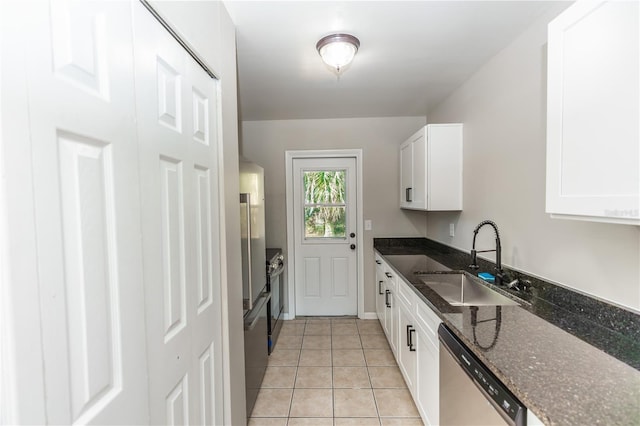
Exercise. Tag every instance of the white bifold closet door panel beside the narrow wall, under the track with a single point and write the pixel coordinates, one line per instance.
(177, 112)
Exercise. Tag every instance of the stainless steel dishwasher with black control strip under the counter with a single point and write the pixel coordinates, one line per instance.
(469, 393)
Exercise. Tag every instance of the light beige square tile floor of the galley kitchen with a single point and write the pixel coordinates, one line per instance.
(333, 371)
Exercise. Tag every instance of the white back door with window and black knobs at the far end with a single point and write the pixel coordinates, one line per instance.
(325, 220)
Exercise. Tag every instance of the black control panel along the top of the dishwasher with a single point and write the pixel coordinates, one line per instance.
(507, 405)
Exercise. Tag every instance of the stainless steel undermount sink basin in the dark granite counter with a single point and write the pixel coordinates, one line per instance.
(460, 290)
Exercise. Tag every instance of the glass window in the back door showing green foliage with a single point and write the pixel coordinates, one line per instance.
(324, 203)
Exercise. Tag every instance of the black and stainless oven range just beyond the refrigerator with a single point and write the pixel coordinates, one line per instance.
(275, 285)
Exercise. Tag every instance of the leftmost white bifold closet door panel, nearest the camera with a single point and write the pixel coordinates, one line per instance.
(86, 203)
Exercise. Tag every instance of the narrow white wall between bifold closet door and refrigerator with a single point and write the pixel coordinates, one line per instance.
(207, 27)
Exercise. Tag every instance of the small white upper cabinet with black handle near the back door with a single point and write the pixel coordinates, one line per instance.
(431, 168)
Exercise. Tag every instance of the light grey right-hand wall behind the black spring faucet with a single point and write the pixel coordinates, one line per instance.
(503, 108)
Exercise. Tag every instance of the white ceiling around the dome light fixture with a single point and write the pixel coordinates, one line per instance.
(412, 53)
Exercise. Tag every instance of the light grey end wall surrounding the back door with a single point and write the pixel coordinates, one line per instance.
(265, 143)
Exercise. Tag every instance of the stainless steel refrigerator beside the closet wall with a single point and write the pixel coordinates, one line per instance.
(254, 278)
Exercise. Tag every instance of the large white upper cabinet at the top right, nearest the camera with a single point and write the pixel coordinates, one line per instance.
(593, 140)
